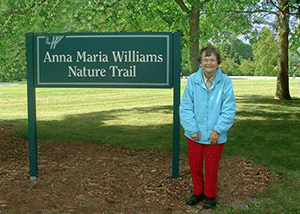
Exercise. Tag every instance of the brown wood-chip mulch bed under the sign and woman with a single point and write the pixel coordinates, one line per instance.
(100, 178)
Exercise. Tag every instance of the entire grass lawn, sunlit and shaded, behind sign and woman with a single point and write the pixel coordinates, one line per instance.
(265, 130)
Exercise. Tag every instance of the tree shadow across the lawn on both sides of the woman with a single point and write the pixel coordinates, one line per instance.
(265, 130)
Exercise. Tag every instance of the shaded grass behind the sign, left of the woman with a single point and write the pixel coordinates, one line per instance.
(93, 127)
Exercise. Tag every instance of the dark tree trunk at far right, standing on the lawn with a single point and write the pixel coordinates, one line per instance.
(282, 89)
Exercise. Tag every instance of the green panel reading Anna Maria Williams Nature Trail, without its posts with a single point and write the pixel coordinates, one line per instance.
(104, 60)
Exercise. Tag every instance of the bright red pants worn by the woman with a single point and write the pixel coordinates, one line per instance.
(212, 156)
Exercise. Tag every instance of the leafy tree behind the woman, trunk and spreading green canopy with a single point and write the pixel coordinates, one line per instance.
(199, 21)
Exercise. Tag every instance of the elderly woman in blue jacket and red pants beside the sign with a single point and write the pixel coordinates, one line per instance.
(207, 112)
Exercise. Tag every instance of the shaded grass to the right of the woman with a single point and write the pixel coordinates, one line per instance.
(267, 130)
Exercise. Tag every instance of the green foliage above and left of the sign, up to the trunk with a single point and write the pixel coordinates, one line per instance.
(23, 16)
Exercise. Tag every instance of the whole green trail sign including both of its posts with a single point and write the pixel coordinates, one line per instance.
(128, 60)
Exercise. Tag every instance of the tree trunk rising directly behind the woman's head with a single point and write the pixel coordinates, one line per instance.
(194, 39)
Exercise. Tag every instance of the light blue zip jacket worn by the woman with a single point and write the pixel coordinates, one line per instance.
(203, 111)
